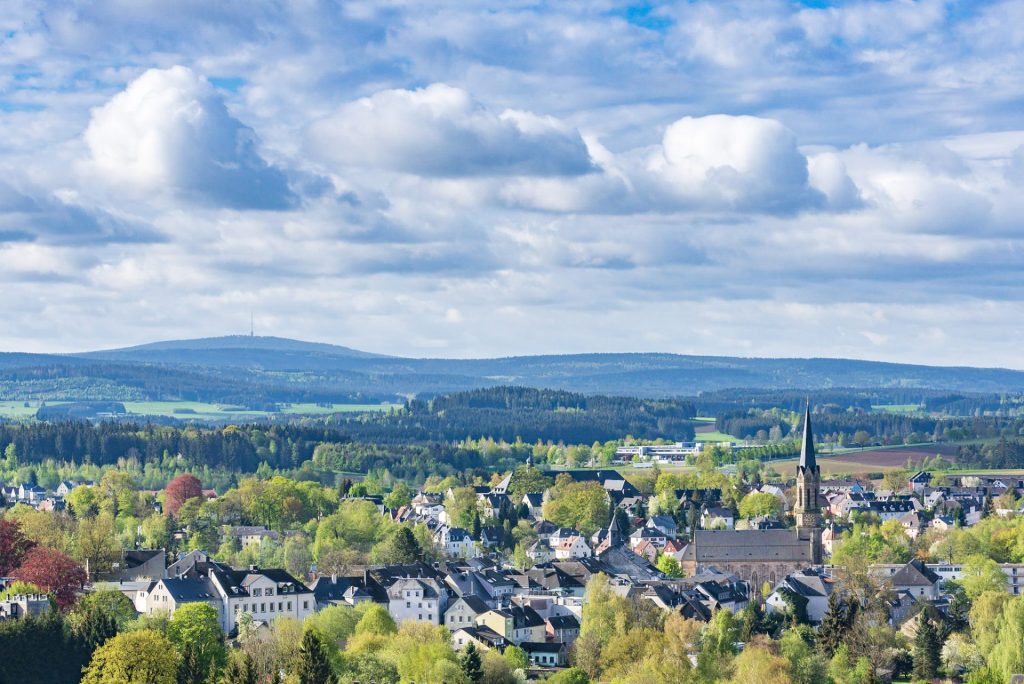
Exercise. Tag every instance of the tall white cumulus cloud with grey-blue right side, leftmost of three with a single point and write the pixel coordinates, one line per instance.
(170, 130)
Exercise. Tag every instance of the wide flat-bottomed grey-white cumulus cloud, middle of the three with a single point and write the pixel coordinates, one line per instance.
(443, 132)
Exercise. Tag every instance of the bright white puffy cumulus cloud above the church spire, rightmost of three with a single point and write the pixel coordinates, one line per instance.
(736, 162)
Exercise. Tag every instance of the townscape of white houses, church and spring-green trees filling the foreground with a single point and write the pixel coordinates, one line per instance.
(567, 576)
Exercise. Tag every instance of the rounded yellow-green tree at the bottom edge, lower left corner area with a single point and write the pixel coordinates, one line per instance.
(134, 658)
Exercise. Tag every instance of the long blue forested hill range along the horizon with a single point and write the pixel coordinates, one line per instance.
(263, 371)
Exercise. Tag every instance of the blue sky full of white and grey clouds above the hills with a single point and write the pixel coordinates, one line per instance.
(759, 179)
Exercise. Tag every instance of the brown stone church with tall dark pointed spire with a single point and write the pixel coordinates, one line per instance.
(767, 555)
